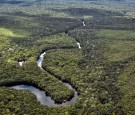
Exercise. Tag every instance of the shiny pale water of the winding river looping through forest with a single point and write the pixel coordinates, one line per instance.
(41, 95)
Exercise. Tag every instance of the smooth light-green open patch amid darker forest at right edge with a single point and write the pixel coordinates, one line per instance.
(120, 42)
